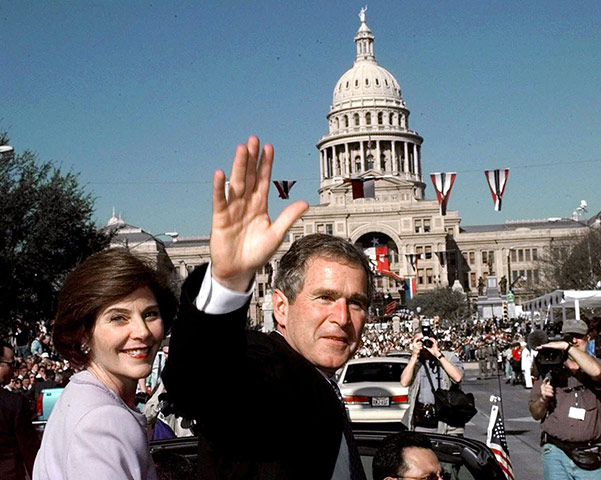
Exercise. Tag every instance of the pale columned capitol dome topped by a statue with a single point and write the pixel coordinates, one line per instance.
(369, 134)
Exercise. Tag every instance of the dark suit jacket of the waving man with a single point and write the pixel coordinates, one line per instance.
(264, 412)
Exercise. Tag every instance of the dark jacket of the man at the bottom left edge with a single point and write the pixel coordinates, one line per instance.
(19, 442)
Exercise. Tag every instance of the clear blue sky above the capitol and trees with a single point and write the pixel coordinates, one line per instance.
(146, 99)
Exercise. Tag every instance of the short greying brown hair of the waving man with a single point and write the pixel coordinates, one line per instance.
(290, 275)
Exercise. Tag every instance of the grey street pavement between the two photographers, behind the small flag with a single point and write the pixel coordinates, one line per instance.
(523, 432)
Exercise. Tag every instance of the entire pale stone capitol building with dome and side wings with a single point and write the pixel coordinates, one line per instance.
(369, 137)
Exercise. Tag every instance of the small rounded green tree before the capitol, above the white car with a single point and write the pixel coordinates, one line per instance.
(450, 306)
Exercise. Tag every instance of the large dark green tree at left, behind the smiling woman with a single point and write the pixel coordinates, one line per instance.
(46, 228)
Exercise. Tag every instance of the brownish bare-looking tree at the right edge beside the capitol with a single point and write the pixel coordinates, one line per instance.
(573, 264)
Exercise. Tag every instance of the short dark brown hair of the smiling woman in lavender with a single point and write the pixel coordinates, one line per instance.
(98, 282)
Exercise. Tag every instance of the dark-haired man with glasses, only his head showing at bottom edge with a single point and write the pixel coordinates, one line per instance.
(406, 455)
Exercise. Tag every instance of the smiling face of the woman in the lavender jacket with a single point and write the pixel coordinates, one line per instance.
(125, 340)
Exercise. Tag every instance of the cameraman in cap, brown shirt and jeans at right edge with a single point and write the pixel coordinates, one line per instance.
(568, 403)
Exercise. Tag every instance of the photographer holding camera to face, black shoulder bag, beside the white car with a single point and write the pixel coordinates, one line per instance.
(444, 368)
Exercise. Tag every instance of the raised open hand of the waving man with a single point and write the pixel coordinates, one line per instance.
(243, 238)
